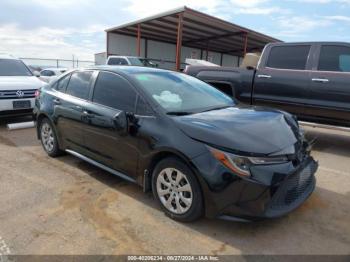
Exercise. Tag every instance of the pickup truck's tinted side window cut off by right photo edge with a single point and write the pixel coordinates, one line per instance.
(334, 58)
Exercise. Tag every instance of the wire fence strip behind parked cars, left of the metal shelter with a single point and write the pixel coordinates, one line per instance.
(44, 63)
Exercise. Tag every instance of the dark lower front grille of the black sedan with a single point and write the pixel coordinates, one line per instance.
(293, 191)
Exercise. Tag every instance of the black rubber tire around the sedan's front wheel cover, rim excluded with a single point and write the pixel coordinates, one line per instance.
(196, 208)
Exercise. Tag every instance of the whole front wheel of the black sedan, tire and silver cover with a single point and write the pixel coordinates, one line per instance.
(177, 190)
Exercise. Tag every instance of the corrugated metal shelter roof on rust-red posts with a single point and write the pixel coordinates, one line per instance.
(199, 31)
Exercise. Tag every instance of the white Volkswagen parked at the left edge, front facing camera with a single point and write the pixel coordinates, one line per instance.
(18, 86)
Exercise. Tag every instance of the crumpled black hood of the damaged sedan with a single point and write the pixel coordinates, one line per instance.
(250, 130)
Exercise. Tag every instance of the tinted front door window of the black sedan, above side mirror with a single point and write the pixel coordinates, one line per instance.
(113, 91)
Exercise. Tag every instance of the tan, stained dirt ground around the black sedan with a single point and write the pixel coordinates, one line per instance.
(66, 206)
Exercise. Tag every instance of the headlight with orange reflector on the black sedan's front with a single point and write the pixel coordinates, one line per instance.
(240, 165)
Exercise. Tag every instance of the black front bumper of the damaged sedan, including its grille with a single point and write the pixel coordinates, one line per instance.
(273, 190)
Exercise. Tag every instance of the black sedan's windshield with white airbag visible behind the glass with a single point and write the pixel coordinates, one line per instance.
(182, 94)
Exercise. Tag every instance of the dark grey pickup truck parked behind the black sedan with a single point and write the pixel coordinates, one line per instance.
(310, 80)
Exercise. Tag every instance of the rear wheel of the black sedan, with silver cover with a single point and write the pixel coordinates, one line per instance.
(49, 139)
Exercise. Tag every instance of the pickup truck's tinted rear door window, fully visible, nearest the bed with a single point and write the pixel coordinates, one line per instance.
(289, 57)
